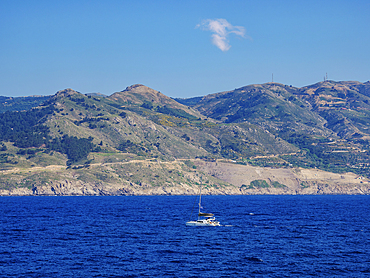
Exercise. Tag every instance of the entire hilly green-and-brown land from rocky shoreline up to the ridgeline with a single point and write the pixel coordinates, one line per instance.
(139, 141)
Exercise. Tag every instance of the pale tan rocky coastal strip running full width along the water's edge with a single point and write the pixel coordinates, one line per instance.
(220, 178)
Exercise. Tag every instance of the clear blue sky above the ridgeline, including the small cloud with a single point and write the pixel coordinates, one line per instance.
(180, 48)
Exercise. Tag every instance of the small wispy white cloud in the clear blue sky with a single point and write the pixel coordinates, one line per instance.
(221, 29)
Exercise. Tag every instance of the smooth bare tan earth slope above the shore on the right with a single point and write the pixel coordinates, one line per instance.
(285, 181)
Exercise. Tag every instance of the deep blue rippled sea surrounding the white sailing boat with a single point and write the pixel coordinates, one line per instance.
(146, 236)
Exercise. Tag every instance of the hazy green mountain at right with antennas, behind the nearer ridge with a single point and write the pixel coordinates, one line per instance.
(328, 121)
